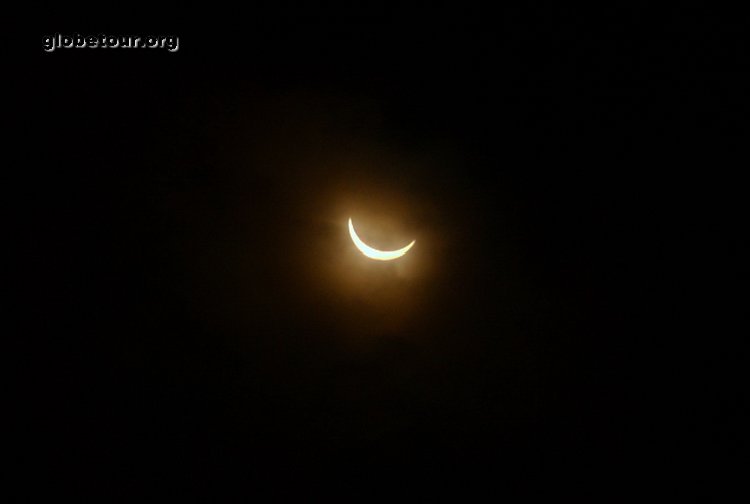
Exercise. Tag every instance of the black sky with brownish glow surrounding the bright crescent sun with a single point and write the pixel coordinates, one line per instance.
(199, 322)
